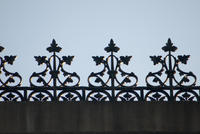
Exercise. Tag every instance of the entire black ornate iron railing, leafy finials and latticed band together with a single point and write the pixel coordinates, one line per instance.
(112, 83)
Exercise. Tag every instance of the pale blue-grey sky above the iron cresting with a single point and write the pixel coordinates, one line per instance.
(84, 28)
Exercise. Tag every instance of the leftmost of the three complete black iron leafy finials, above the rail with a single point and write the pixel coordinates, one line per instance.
(54, 65)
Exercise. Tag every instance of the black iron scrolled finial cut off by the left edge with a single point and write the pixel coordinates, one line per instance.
(11, 79)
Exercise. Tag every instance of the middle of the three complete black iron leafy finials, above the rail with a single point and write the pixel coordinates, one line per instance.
(112, 65)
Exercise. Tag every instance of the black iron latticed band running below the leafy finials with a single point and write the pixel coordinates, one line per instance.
(83, 93)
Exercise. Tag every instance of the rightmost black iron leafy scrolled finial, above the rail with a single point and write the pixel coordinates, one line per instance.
(170, 64)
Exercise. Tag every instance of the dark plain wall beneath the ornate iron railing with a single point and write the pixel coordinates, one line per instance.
(100, 117)
